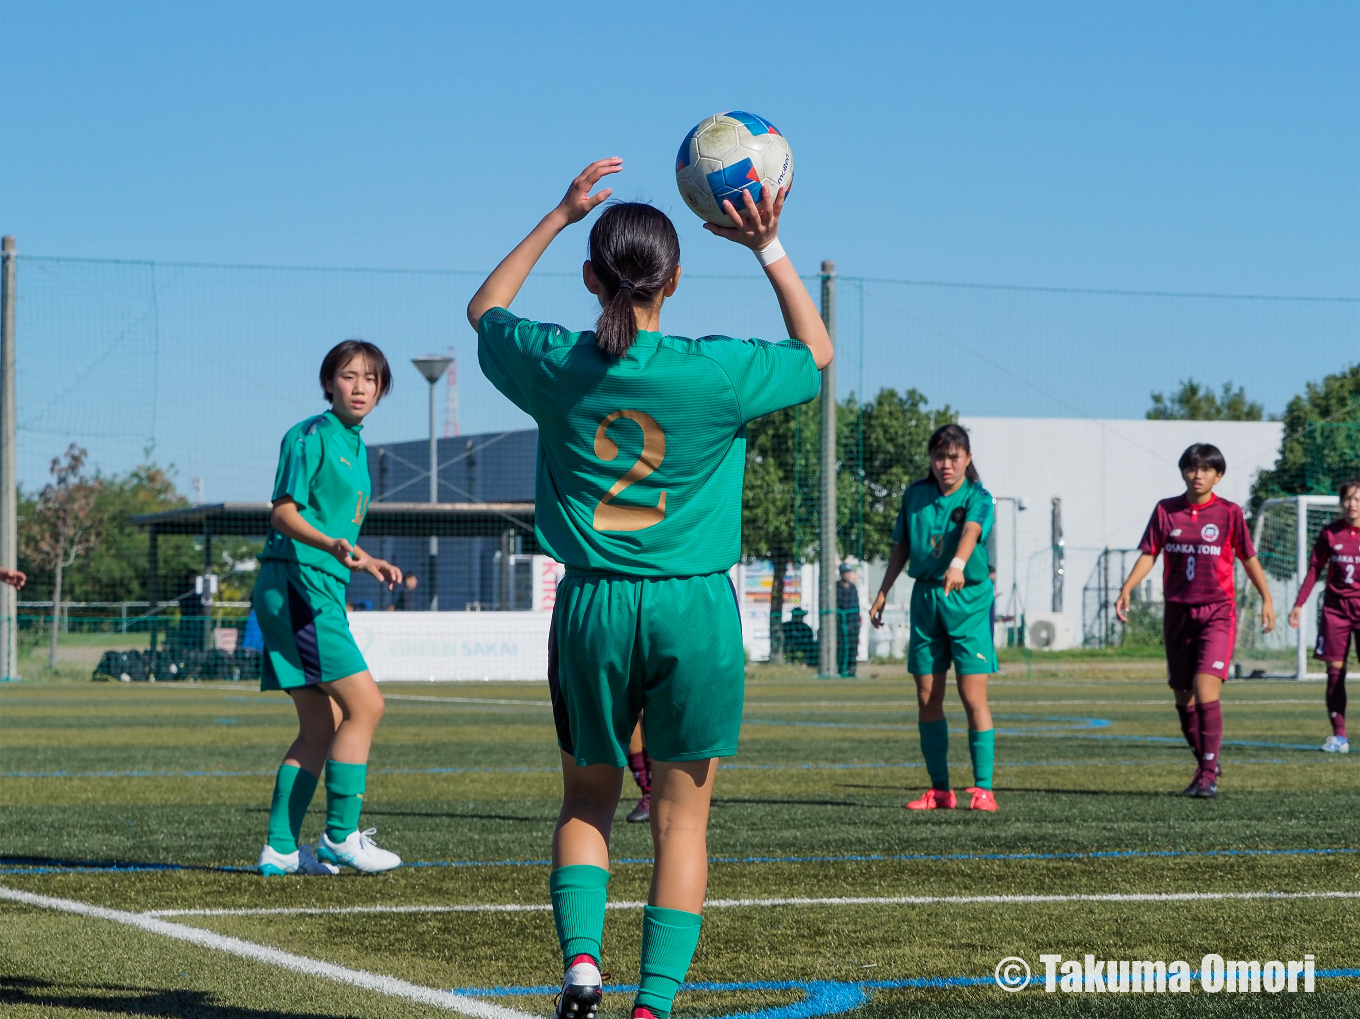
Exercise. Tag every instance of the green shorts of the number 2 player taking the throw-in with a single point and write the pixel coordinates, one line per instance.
(668, 648)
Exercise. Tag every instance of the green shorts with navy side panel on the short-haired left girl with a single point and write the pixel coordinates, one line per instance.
(305, 628)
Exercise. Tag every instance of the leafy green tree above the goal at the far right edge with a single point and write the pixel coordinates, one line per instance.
(1321, 443)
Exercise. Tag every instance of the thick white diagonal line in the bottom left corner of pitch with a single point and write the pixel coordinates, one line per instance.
(259, 953)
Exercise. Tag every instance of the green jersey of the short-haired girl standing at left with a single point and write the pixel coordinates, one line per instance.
(324, 469)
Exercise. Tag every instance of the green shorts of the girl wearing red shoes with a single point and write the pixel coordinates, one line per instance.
(954, 629)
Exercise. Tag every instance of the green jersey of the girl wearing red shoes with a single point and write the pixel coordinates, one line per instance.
(931, 526)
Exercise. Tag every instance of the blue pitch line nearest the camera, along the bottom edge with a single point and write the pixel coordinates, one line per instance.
(821, 998)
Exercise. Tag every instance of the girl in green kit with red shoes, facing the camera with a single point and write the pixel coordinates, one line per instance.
(942, 533)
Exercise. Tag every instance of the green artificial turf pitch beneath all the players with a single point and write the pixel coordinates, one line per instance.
(154, 798)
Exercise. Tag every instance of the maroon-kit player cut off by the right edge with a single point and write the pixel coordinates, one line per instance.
(1338, 552)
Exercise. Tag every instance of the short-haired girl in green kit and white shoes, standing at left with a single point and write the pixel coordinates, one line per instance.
(320, 499)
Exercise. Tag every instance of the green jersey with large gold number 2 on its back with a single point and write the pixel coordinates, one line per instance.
(641, 458)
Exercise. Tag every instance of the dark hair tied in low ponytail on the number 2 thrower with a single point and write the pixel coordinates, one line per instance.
(634, 252)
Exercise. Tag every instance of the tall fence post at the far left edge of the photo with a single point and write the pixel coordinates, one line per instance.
(9, 490)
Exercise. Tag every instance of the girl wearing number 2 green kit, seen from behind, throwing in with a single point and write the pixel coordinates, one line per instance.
(641, 458)
